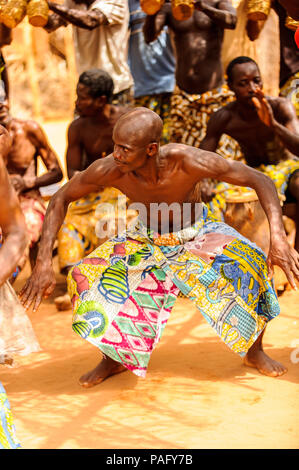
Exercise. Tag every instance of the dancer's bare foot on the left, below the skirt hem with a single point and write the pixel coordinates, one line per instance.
(102, 371)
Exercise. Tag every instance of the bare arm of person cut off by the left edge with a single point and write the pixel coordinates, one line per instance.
(12, 225)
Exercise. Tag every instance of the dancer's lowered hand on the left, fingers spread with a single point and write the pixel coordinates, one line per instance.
(40, 285)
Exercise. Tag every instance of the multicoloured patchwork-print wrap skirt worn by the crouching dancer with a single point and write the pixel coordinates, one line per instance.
(124, 291)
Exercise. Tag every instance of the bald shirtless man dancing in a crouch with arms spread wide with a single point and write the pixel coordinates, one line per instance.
(123, 292)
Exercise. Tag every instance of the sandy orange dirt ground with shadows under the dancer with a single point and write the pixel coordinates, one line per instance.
(197, 393)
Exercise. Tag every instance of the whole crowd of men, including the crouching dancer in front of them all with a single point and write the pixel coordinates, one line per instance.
(158, 124)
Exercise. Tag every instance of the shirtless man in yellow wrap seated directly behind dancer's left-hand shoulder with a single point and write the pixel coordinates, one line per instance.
(89, 138)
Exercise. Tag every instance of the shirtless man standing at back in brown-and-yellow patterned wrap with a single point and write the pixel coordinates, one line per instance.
(200, 83)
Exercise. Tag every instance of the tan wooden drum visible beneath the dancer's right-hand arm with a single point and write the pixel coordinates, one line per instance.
(245, 214)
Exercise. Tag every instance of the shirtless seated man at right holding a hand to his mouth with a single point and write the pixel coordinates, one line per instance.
(266, 128)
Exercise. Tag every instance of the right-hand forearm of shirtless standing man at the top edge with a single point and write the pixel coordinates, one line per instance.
(224, 15)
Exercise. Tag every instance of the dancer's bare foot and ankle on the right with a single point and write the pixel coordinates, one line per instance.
(257, 358)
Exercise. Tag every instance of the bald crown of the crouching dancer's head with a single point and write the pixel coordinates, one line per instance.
(141, 124)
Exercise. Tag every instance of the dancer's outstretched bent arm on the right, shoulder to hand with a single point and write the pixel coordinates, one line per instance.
(211, 165)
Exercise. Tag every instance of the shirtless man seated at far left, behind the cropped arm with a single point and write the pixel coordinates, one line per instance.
(28, 142)
